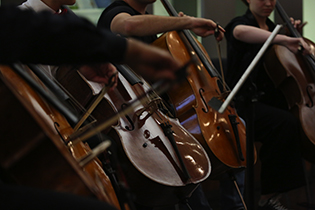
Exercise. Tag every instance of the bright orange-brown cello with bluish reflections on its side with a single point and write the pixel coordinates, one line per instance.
(222, 135)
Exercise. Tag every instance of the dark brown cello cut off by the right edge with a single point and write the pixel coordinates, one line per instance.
(294, 75)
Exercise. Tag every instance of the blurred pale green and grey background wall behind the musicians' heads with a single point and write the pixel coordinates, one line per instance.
(221, 11)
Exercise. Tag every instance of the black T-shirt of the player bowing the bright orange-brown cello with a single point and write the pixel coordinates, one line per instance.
(121, 7)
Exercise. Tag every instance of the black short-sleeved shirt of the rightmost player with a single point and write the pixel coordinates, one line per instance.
(241, 54)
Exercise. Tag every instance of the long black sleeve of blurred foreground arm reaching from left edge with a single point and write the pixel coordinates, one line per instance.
(44, 38)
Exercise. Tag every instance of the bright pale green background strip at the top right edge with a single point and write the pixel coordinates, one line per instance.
(309, 16)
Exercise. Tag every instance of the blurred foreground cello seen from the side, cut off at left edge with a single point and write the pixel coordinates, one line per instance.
(35, 151)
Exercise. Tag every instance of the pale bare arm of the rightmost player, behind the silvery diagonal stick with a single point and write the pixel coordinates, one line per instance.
(255, 35)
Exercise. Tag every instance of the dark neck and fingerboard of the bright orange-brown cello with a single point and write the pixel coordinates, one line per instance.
(210, 68)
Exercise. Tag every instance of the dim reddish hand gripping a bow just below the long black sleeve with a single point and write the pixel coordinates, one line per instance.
(101, 73)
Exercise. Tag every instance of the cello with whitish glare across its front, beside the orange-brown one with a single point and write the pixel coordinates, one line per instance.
(159, 170)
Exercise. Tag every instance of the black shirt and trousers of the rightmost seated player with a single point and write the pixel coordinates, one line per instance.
(274, 125)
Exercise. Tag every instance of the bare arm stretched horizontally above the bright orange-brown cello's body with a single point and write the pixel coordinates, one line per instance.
(143, 25)
